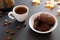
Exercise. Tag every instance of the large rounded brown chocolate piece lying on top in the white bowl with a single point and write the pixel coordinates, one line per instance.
(47, 18)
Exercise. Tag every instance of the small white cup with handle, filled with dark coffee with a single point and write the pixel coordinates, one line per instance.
(19, 16)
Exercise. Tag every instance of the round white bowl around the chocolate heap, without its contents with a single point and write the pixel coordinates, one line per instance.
(31, 23)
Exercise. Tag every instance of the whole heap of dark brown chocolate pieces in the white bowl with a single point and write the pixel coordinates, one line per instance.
(44, 22)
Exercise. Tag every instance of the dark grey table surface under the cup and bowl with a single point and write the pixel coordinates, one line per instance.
(25, 33)
